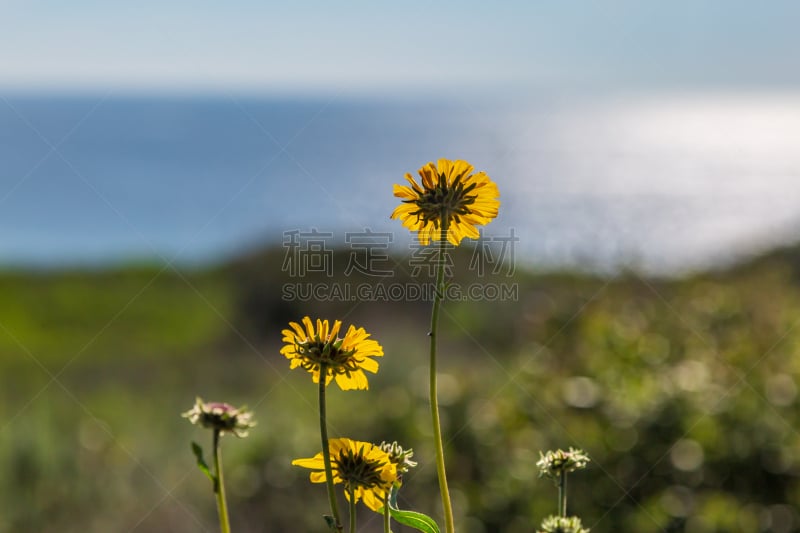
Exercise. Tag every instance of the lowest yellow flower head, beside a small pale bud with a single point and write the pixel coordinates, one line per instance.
(362, 467)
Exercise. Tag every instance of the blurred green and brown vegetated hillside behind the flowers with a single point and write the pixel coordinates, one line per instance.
(684, 393)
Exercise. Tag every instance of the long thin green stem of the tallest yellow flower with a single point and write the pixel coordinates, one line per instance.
(447, 507)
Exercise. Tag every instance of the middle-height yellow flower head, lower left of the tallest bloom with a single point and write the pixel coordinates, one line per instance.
(345, 358)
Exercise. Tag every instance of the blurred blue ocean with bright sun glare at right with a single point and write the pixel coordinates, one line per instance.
(657, 182)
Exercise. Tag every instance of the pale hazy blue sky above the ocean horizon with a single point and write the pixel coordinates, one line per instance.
(398, 47)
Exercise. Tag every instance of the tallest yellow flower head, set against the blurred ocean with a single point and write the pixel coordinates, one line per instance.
(451, 195)
